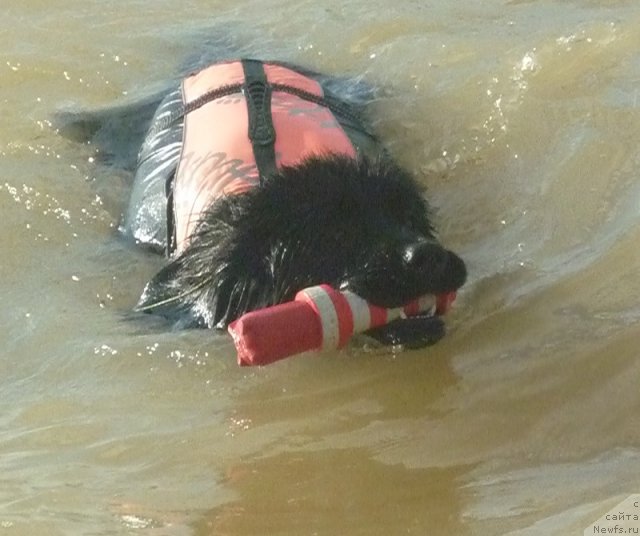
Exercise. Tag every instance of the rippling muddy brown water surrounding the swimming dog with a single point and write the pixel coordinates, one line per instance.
(523, 120)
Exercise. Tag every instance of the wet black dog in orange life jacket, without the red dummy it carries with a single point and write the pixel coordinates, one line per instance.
(258, 179)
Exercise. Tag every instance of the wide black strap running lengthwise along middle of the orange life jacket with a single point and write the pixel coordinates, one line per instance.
(257, 93)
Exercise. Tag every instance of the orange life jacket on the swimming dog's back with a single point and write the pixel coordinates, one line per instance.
(221, 138)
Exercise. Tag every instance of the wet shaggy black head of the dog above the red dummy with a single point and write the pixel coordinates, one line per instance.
(329, 220)
